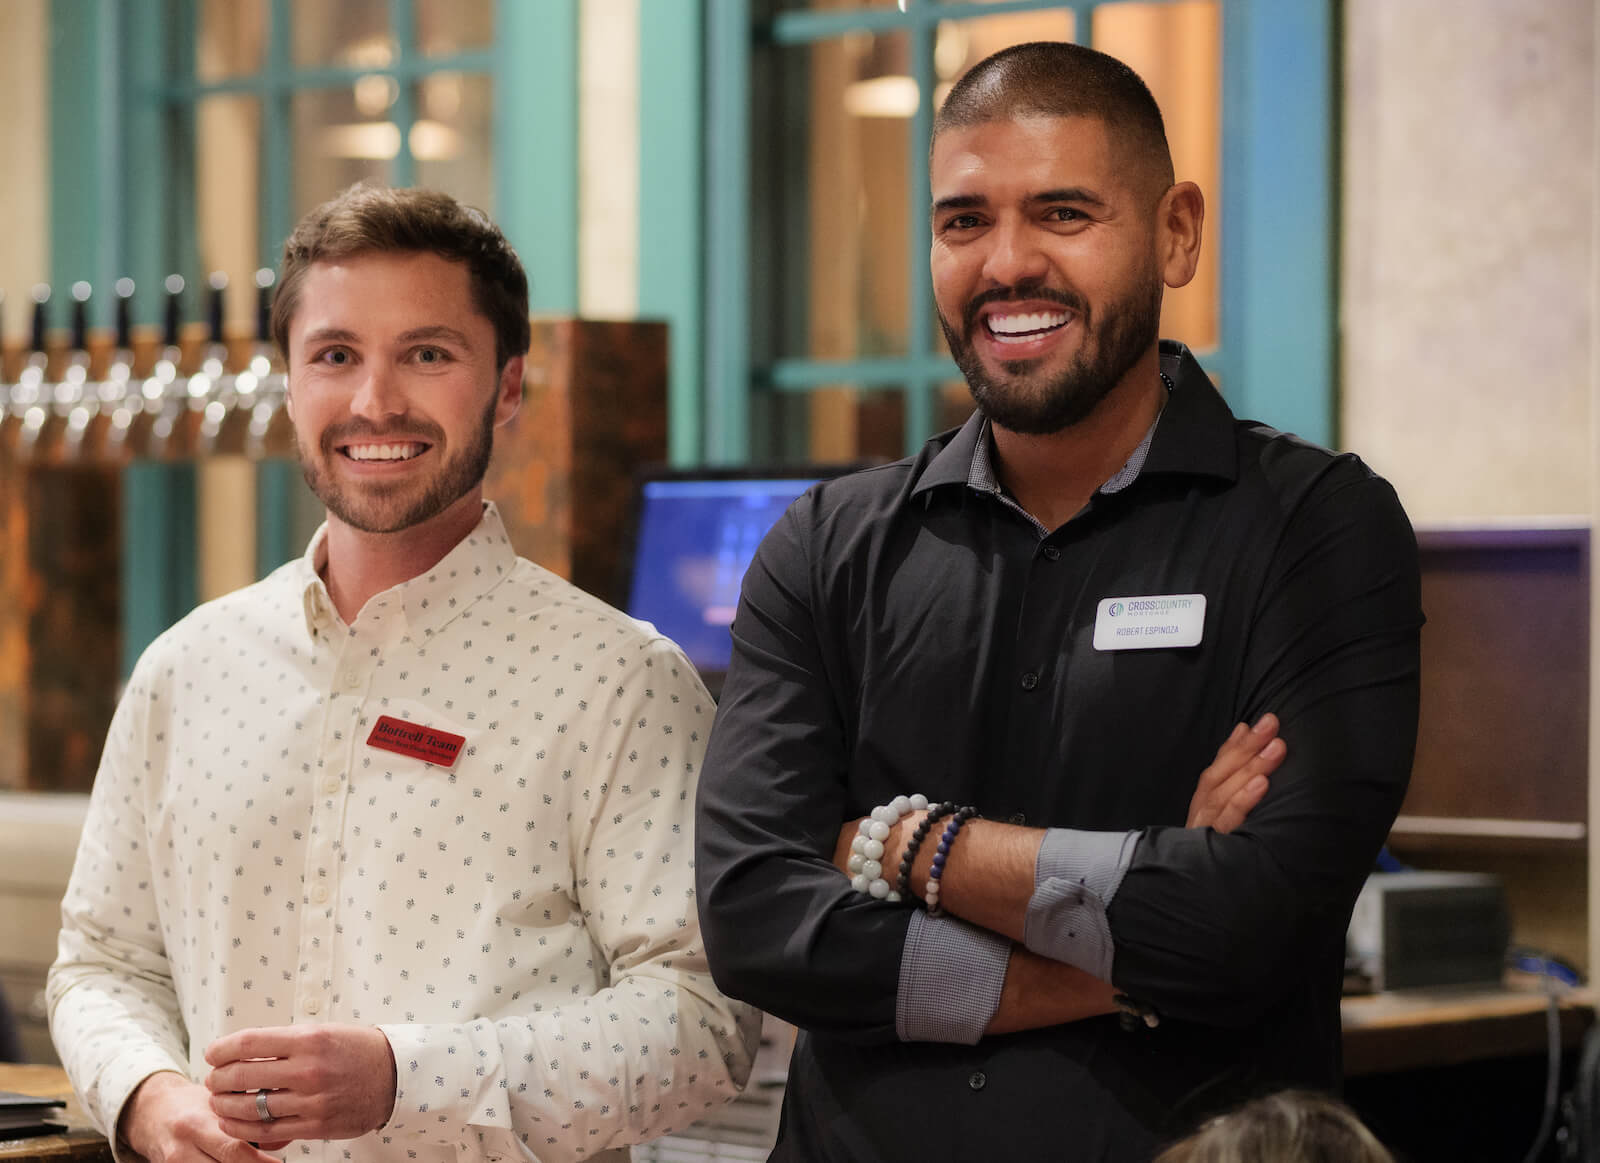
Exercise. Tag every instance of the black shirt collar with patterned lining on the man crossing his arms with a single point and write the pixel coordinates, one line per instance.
(1194, 434)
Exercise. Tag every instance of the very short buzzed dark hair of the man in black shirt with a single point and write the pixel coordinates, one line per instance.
(1058, 79)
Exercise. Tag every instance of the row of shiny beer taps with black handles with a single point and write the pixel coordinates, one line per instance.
(162, 407)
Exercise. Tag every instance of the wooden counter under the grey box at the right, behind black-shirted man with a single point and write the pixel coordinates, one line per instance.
(1446, 1026)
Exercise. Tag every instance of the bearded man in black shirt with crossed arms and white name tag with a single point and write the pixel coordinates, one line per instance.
(1044, 625)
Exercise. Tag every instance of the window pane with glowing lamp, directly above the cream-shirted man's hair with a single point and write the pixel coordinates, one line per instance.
(338, 145)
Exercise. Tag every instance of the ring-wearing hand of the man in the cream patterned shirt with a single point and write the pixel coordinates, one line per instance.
(322, 1082)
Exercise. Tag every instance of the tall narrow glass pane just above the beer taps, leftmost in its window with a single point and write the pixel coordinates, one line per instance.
(228, 201)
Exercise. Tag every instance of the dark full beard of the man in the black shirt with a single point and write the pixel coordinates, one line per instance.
(1113, 342)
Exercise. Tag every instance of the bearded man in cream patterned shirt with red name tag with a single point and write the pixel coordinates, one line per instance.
(391, 847)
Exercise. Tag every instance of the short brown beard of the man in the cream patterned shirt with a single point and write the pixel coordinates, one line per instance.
(367, 511)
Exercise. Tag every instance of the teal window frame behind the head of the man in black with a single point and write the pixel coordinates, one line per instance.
(1278, 278)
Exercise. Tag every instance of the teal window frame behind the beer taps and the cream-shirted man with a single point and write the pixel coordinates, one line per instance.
(122, 106)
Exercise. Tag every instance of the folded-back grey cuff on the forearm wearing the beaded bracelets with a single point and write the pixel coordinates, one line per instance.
(1076, 877)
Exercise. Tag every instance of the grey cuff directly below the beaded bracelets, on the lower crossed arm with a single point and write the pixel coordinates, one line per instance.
(951, 978)
